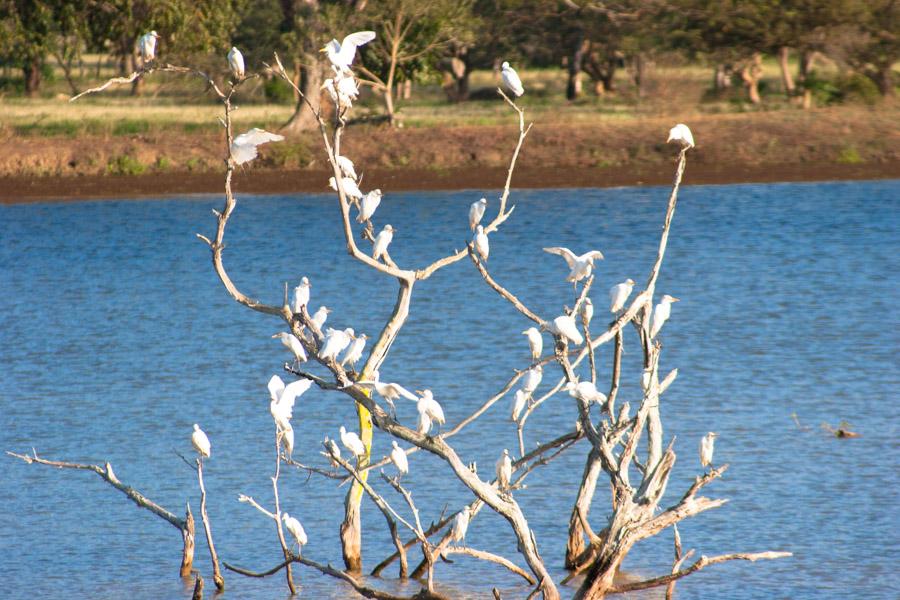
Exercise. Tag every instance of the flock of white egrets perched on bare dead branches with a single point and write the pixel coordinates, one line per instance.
(344, 347)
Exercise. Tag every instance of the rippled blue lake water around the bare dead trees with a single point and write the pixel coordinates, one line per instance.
(117, 336)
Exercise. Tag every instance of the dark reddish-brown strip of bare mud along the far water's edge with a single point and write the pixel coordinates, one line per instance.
(32, 189)
